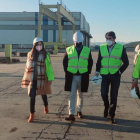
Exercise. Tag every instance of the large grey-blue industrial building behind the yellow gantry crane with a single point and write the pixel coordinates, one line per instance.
(20, 28)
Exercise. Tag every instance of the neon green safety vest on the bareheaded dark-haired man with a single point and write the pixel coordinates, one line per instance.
(111, 63)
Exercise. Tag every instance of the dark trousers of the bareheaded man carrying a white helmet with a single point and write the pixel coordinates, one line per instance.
(114, 81)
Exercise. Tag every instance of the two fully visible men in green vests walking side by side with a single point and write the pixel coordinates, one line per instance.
(112, 62)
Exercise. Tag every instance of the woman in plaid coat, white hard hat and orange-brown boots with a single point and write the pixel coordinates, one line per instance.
(38, 75)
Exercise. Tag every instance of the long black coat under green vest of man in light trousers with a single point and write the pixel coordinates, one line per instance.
(69, 76)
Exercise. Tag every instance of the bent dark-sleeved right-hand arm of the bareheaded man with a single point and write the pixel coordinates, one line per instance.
(125, 61)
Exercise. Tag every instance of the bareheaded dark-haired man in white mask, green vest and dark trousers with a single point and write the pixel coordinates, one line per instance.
(109, 65)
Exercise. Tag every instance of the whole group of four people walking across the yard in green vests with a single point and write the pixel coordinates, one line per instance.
(77, 63)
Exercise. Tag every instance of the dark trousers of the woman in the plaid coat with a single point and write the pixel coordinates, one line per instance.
(33, 95)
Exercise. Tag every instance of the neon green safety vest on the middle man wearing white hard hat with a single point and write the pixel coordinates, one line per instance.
(76, 64)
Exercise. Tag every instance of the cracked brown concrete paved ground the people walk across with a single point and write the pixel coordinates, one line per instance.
(14, 109)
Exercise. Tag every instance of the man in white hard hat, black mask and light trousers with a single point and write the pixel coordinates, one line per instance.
(77, 64)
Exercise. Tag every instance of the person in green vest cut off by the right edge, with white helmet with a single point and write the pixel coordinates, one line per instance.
(136, 73)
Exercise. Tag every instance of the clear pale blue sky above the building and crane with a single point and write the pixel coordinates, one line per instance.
(120, 16)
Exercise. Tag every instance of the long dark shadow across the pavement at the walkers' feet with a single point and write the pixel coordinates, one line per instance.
(121, 125)
